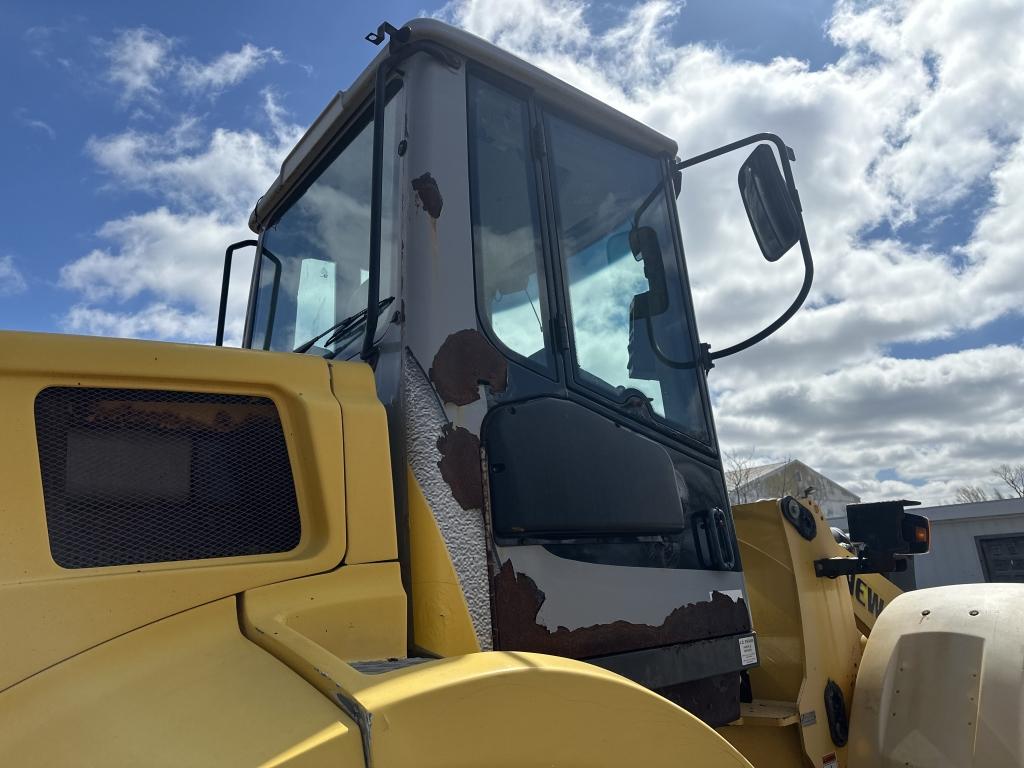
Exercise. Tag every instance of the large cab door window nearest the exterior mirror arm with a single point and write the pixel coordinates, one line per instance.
(624, 276)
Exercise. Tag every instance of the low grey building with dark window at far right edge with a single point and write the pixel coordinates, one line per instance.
(971, 543)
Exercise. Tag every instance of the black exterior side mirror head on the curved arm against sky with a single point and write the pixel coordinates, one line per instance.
(770, 205)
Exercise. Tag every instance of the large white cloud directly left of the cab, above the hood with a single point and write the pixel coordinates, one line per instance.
(157, 274)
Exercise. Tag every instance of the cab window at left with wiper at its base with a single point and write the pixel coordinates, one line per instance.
(316, 257)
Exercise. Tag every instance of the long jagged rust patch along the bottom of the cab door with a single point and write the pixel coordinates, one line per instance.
(518, 602)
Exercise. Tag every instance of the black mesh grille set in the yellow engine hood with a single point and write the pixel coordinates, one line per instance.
(141, 476)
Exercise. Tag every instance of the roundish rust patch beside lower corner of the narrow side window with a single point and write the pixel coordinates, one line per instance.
(465, 361)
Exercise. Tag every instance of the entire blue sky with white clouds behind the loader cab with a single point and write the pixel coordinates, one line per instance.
(137, 137)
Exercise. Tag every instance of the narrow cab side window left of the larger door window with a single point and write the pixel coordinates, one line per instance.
(511, 288)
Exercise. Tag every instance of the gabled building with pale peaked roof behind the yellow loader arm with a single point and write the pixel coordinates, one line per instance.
(791, 479)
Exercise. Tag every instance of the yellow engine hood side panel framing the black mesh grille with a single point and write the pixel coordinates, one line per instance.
(60, 613)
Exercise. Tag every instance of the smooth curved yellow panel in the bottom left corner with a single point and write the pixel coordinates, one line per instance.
(189, 691)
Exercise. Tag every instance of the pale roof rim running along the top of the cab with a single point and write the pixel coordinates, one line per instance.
(342, 109)
